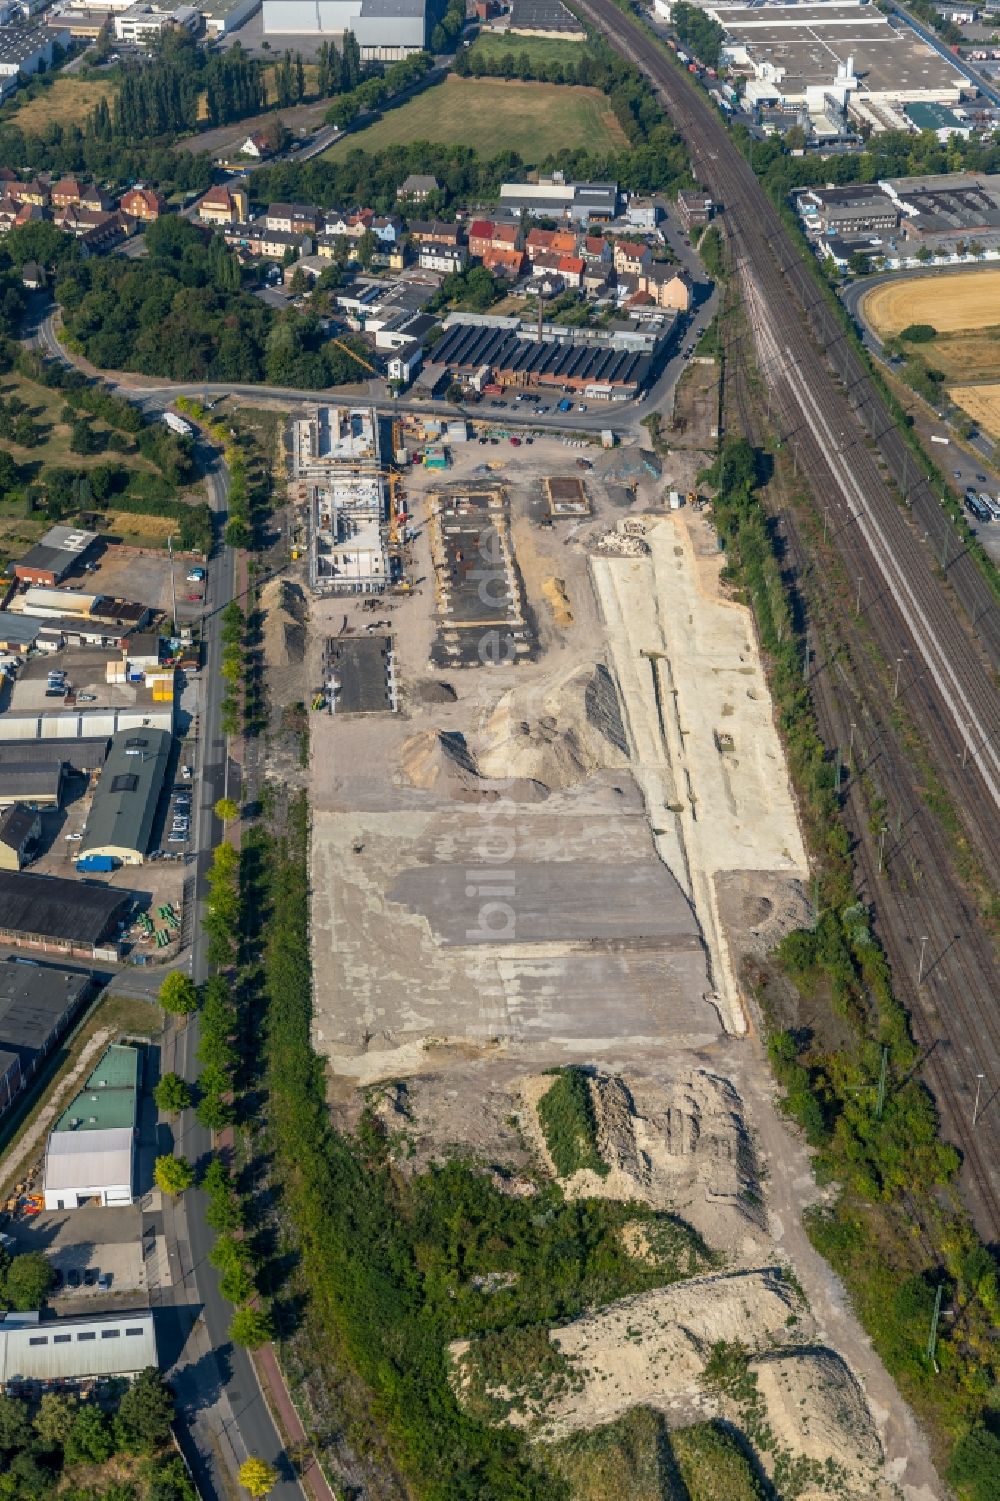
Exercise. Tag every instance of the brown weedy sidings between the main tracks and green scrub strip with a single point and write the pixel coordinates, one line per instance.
(903, 877)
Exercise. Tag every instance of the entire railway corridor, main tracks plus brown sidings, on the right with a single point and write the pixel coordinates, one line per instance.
(849, 451)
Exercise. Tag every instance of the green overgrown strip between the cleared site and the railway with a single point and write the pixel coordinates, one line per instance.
(884, 1151)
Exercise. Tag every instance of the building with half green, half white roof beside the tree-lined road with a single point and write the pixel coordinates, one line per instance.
(91, 1151)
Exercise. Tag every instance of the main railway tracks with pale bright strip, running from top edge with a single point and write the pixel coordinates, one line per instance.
(830, 429)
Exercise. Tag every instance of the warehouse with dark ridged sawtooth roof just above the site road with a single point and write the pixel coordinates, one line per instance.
(600, 373)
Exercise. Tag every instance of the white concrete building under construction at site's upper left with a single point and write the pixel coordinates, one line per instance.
(337, 471)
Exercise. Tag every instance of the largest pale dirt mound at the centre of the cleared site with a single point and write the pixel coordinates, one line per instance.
(552, 741)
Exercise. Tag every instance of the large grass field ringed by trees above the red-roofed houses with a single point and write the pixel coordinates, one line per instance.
(493, 116)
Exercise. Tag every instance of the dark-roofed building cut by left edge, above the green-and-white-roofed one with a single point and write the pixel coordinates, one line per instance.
(38, 1005)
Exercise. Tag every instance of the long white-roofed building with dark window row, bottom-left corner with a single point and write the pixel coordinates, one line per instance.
(52, 1353)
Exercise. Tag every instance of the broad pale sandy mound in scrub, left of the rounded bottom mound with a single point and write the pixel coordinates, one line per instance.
(651, 1349)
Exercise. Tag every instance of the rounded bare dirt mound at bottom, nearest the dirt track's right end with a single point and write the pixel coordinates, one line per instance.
(818, 1412)
